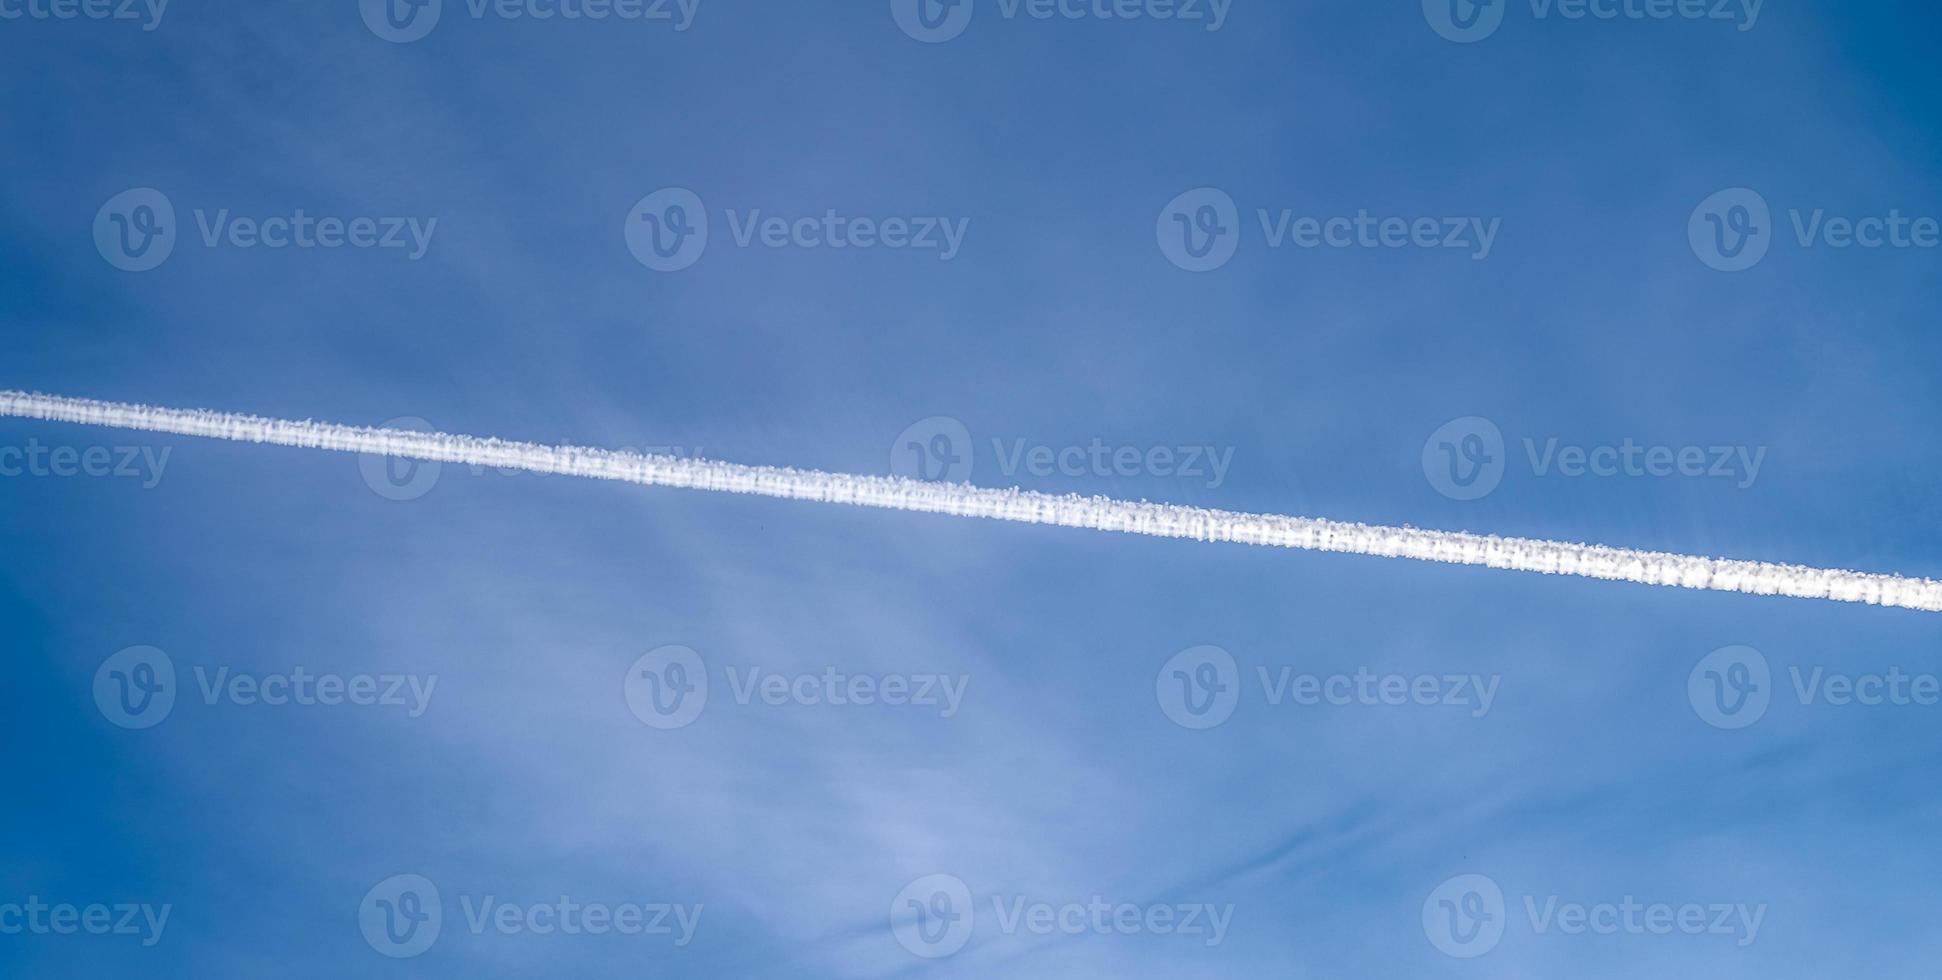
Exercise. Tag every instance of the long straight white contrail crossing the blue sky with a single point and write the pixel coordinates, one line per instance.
(1028, 507)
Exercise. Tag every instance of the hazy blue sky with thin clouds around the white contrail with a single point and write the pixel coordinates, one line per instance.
(1057, 147)
